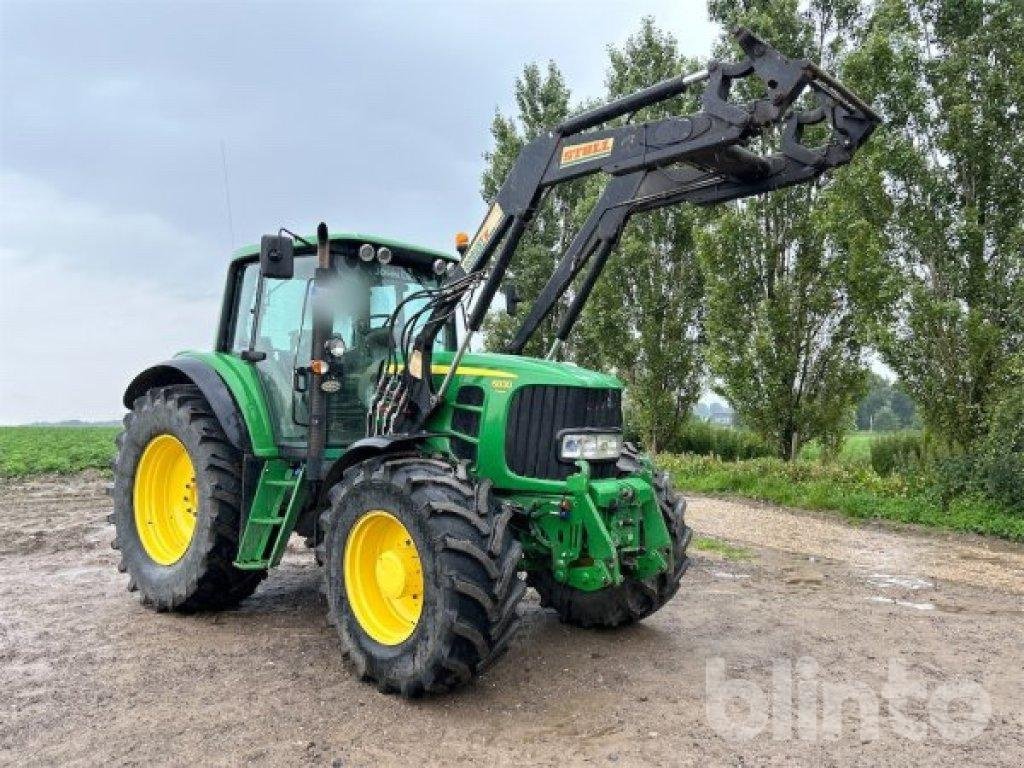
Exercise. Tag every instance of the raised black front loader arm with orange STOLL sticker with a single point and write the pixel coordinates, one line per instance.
(701, 159)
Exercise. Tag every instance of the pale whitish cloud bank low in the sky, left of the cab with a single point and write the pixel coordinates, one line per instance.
(74, 330)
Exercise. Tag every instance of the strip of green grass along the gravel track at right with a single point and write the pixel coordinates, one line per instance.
(855, 491)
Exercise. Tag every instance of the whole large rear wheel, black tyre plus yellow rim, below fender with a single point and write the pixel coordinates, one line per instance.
(178, 497)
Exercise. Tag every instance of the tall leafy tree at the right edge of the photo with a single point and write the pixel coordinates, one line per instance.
(949, 76)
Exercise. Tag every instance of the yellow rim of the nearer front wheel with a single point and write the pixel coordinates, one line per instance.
(383, 578)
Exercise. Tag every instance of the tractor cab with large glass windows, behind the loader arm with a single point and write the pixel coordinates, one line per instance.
(268, 319)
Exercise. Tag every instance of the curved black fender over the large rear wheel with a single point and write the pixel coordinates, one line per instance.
(192, 371)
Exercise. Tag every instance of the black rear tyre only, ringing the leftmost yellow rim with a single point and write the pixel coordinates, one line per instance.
(205, 577)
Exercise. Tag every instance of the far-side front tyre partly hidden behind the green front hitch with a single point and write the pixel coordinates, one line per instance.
(632, 601)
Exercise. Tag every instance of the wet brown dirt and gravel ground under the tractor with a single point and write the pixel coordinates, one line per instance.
(90, 677)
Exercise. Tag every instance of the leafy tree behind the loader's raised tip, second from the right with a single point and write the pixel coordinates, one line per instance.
(797, 280)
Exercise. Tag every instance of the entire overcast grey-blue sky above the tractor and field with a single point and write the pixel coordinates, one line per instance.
(372, 116)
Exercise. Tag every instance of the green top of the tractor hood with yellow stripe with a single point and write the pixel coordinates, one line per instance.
(521, 370)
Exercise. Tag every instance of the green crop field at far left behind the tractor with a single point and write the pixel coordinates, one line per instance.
(29, 451)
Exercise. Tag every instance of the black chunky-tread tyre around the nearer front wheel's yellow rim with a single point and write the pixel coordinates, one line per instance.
(468, 560)
